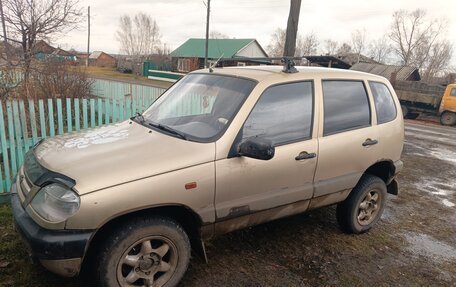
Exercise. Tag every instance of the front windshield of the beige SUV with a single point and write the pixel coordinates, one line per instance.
(199, 107)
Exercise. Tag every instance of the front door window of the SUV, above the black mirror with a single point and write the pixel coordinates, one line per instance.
(282, 114)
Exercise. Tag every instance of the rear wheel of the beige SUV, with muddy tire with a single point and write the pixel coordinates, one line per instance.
(364, 206)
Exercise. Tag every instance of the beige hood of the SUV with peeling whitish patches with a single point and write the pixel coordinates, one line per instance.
(119, 153)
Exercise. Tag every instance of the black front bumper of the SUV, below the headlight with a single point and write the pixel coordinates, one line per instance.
(60, 251)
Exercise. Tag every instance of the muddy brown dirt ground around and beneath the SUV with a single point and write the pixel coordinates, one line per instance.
(414, 244)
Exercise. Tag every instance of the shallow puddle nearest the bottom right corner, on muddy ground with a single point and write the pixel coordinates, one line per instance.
(425, 245)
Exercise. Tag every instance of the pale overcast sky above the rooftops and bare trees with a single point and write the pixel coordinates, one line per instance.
(179, 20)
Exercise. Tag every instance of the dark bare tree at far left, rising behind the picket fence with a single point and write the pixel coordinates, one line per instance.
(29, 20)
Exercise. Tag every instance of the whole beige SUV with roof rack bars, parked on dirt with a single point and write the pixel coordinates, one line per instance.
(220, 150)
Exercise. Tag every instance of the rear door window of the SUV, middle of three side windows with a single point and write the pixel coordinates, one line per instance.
(346, 106)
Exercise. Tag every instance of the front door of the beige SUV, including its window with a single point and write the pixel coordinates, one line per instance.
(283, 115)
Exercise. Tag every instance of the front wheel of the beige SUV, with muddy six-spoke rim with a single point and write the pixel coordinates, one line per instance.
(145, 252)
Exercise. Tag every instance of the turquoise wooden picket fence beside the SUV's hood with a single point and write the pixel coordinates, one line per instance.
(24, 122)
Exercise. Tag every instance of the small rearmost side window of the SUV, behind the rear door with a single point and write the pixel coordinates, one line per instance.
(384, 103)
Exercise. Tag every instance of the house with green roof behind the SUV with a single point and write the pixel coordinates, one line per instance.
(190, 55)
